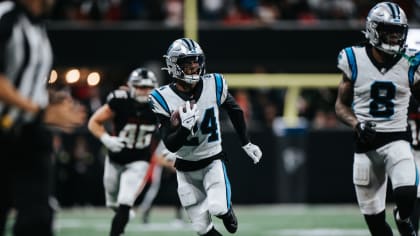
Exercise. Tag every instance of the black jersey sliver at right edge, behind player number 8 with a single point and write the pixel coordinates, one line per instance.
(414, 122)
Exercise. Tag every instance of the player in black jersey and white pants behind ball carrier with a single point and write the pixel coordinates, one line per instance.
(129, 146)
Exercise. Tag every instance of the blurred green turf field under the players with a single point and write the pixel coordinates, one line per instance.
(266, 220)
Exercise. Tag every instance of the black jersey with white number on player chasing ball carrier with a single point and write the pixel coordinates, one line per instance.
(136, 123)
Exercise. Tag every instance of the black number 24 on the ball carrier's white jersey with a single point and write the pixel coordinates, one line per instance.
(208, 126)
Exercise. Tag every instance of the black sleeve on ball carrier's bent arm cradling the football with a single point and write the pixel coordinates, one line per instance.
(173, 139)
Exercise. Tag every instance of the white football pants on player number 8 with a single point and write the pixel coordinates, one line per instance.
(371, 171)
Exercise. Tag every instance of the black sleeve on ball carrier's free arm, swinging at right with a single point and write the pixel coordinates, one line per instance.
(236, 116)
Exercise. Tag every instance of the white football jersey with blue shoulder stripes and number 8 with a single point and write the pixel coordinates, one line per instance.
(380, 96)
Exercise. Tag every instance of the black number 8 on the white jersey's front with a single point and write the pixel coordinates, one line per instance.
(382, 94)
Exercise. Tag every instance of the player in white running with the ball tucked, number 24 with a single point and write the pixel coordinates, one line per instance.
(193, 101)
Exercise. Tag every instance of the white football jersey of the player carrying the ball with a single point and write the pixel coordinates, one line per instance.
(206, 141)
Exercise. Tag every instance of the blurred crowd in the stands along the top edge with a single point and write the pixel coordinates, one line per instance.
(229, 12)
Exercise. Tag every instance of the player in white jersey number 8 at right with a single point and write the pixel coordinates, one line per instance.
(373, 99)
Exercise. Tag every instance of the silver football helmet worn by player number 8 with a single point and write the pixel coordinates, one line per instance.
(386, 27)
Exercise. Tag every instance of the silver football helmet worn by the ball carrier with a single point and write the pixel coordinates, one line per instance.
(181, 52)
